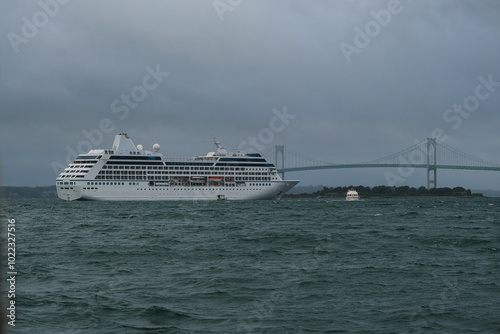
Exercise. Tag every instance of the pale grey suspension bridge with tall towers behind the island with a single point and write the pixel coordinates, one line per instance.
(429, 154)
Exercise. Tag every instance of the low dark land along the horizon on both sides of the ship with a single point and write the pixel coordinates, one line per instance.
(300, 191)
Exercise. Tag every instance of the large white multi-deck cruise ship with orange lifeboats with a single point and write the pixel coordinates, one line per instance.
(128, 172)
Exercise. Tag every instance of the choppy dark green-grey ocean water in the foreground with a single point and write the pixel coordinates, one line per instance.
(426, 265)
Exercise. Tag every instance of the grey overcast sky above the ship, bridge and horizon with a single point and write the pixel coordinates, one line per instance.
(340, 81)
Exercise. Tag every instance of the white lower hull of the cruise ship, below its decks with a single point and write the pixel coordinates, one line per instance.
(144, 192)
